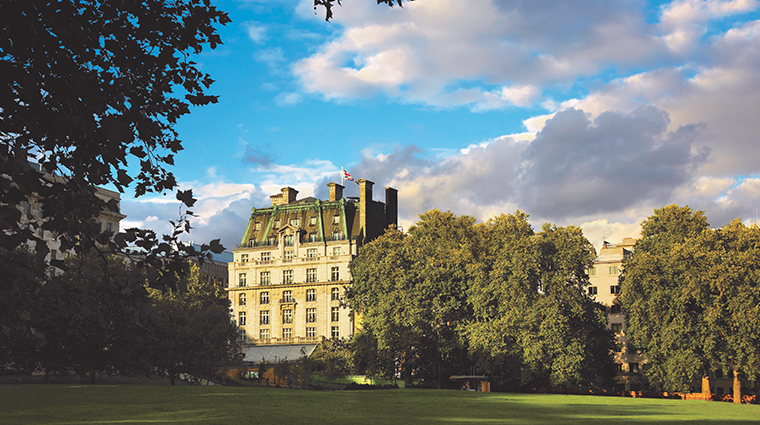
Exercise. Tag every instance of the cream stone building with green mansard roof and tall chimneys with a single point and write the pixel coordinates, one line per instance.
(289, 275)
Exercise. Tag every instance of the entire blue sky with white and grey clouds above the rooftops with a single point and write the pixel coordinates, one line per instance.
(588, 113)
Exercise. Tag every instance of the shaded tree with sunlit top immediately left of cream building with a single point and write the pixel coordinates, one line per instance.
(192, 330)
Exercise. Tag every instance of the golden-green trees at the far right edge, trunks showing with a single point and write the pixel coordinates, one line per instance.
(692, 299)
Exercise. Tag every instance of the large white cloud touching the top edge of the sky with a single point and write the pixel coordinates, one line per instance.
(483, 55)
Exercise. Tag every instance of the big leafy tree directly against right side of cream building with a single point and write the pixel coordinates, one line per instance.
(410, 292)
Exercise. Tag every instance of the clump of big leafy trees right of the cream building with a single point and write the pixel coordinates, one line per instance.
(452, 296)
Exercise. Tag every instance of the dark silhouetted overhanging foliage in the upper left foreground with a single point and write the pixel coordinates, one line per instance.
(92, 91)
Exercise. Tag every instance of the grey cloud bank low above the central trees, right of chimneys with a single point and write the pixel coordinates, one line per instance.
(576, 168)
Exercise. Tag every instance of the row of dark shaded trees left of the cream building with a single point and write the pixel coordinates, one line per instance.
(101, 318)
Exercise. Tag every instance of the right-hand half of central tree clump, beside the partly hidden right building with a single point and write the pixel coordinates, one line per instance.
(533, 324)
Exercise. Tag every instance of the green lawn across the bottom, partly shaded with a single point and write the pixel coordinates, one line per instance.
(67, 404)
